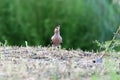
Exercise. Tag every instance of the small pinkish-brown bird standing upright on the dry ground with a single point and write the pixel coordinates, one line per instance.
(56, 39)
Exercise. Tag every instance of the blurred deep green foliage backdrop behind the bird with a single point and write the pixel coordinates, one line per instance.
(82, 21)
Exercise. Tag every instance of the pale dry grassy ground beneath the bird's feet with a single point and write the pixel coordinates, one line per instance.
(44, 63)
